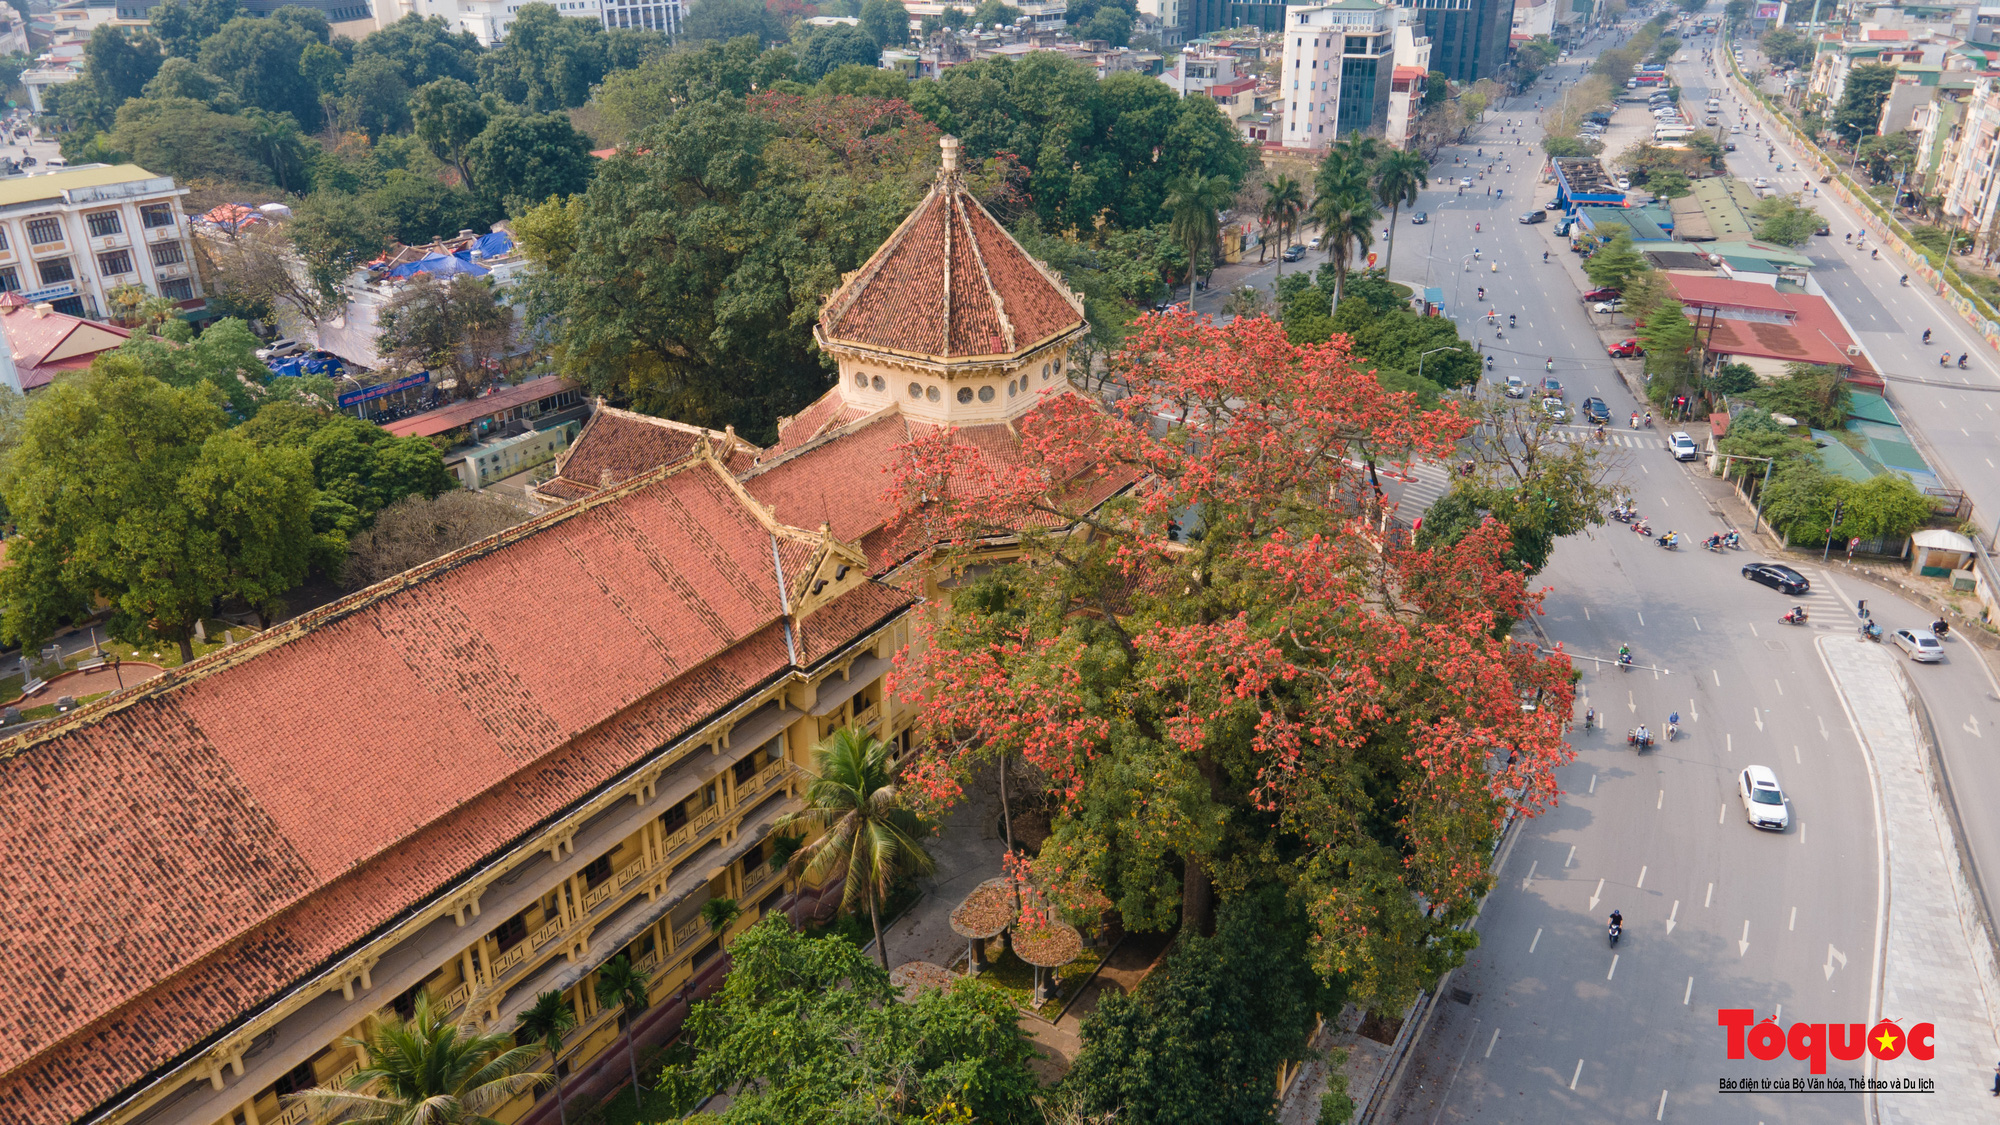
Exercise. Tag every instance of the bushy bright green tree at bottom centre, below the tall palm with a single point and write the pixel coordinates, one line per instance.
(809, 1032)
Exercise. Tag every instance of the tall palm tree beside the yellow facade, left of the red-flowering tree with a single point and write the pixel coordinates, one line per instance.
(865, 830)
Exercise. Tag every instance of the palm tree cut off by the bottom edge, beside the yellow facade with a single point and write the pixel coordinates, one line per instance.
(433, 1072)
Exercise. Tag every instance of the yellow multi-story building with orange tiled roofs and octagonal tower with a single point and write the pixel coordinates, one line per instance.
(487, 778)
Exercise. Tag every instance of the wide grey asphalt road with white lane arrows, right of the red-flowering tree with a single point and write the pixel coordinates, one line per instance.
(1551, 1022)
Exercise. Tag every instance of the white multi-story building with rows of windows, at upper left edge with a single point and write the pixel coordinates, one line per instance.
(73, 235)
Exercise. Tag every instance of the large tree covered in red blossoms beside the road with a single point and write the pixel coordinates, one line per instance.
(1221, 664)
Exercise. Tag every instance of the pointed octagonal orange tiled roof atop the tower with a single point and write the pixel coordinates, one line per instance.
(951, 283)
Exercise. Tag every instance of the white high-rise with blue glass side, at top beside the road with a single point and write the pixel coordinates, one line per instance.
(1337, 73)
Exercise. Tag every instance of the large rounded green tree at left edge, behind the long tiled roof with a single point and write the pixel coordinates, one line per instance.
(137, 493)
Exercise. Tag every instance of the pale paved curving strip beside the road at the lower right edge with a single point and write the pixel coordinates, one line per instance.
(1933, 968)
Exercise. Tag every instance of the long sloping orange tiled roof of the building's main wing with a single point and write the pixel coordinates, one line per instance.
(211, 840)
